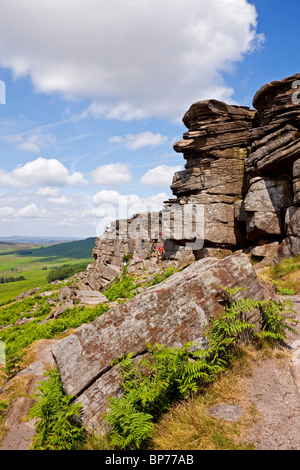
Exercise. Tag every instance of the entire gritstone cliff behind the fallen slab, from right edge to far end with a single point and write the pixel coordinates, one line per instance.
(241, 178)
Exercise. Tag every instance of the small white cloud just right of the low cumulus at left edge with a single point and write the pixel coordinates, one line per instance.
(113, 174)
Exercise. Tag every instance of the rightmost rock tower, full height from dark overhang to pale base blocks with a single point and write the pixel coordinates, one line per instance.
(273, 163)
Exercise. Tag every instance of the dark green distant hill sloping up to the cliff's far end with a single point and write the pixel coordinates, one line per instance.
(80, 249)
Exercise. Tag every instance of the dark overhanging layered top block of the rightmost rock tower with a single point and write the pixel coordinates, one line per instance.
(275, 136)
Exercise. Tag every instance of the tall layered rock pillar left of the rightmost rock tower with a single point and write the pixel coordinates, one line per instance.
(215, 148)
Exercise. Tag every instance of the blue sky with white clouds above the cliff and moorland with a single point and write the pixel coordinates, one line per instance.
(92, 95)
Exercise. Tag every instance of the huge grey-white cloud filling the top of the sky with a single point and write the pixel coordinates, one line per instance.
(133, 59)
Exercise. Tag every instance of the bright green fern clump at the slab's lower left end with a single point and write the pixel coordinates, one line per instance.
(56, 429)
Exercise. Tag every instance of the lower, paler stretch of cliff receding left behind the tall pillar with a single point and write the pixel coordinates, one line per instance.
(140, 243)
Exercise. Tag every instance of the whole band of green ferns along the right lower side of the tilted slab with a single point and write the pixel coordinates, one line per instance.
(153, 384)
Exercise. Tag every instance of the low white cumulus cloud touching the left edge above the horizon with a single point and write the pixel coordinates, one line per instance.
(41, 171)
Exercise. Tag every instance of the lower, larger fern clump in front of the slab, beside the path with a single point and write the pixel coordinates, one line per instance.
(149, 389)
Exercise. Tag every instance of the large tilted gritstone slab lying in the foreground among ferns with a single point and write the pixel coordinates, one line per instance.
(170, 313)
